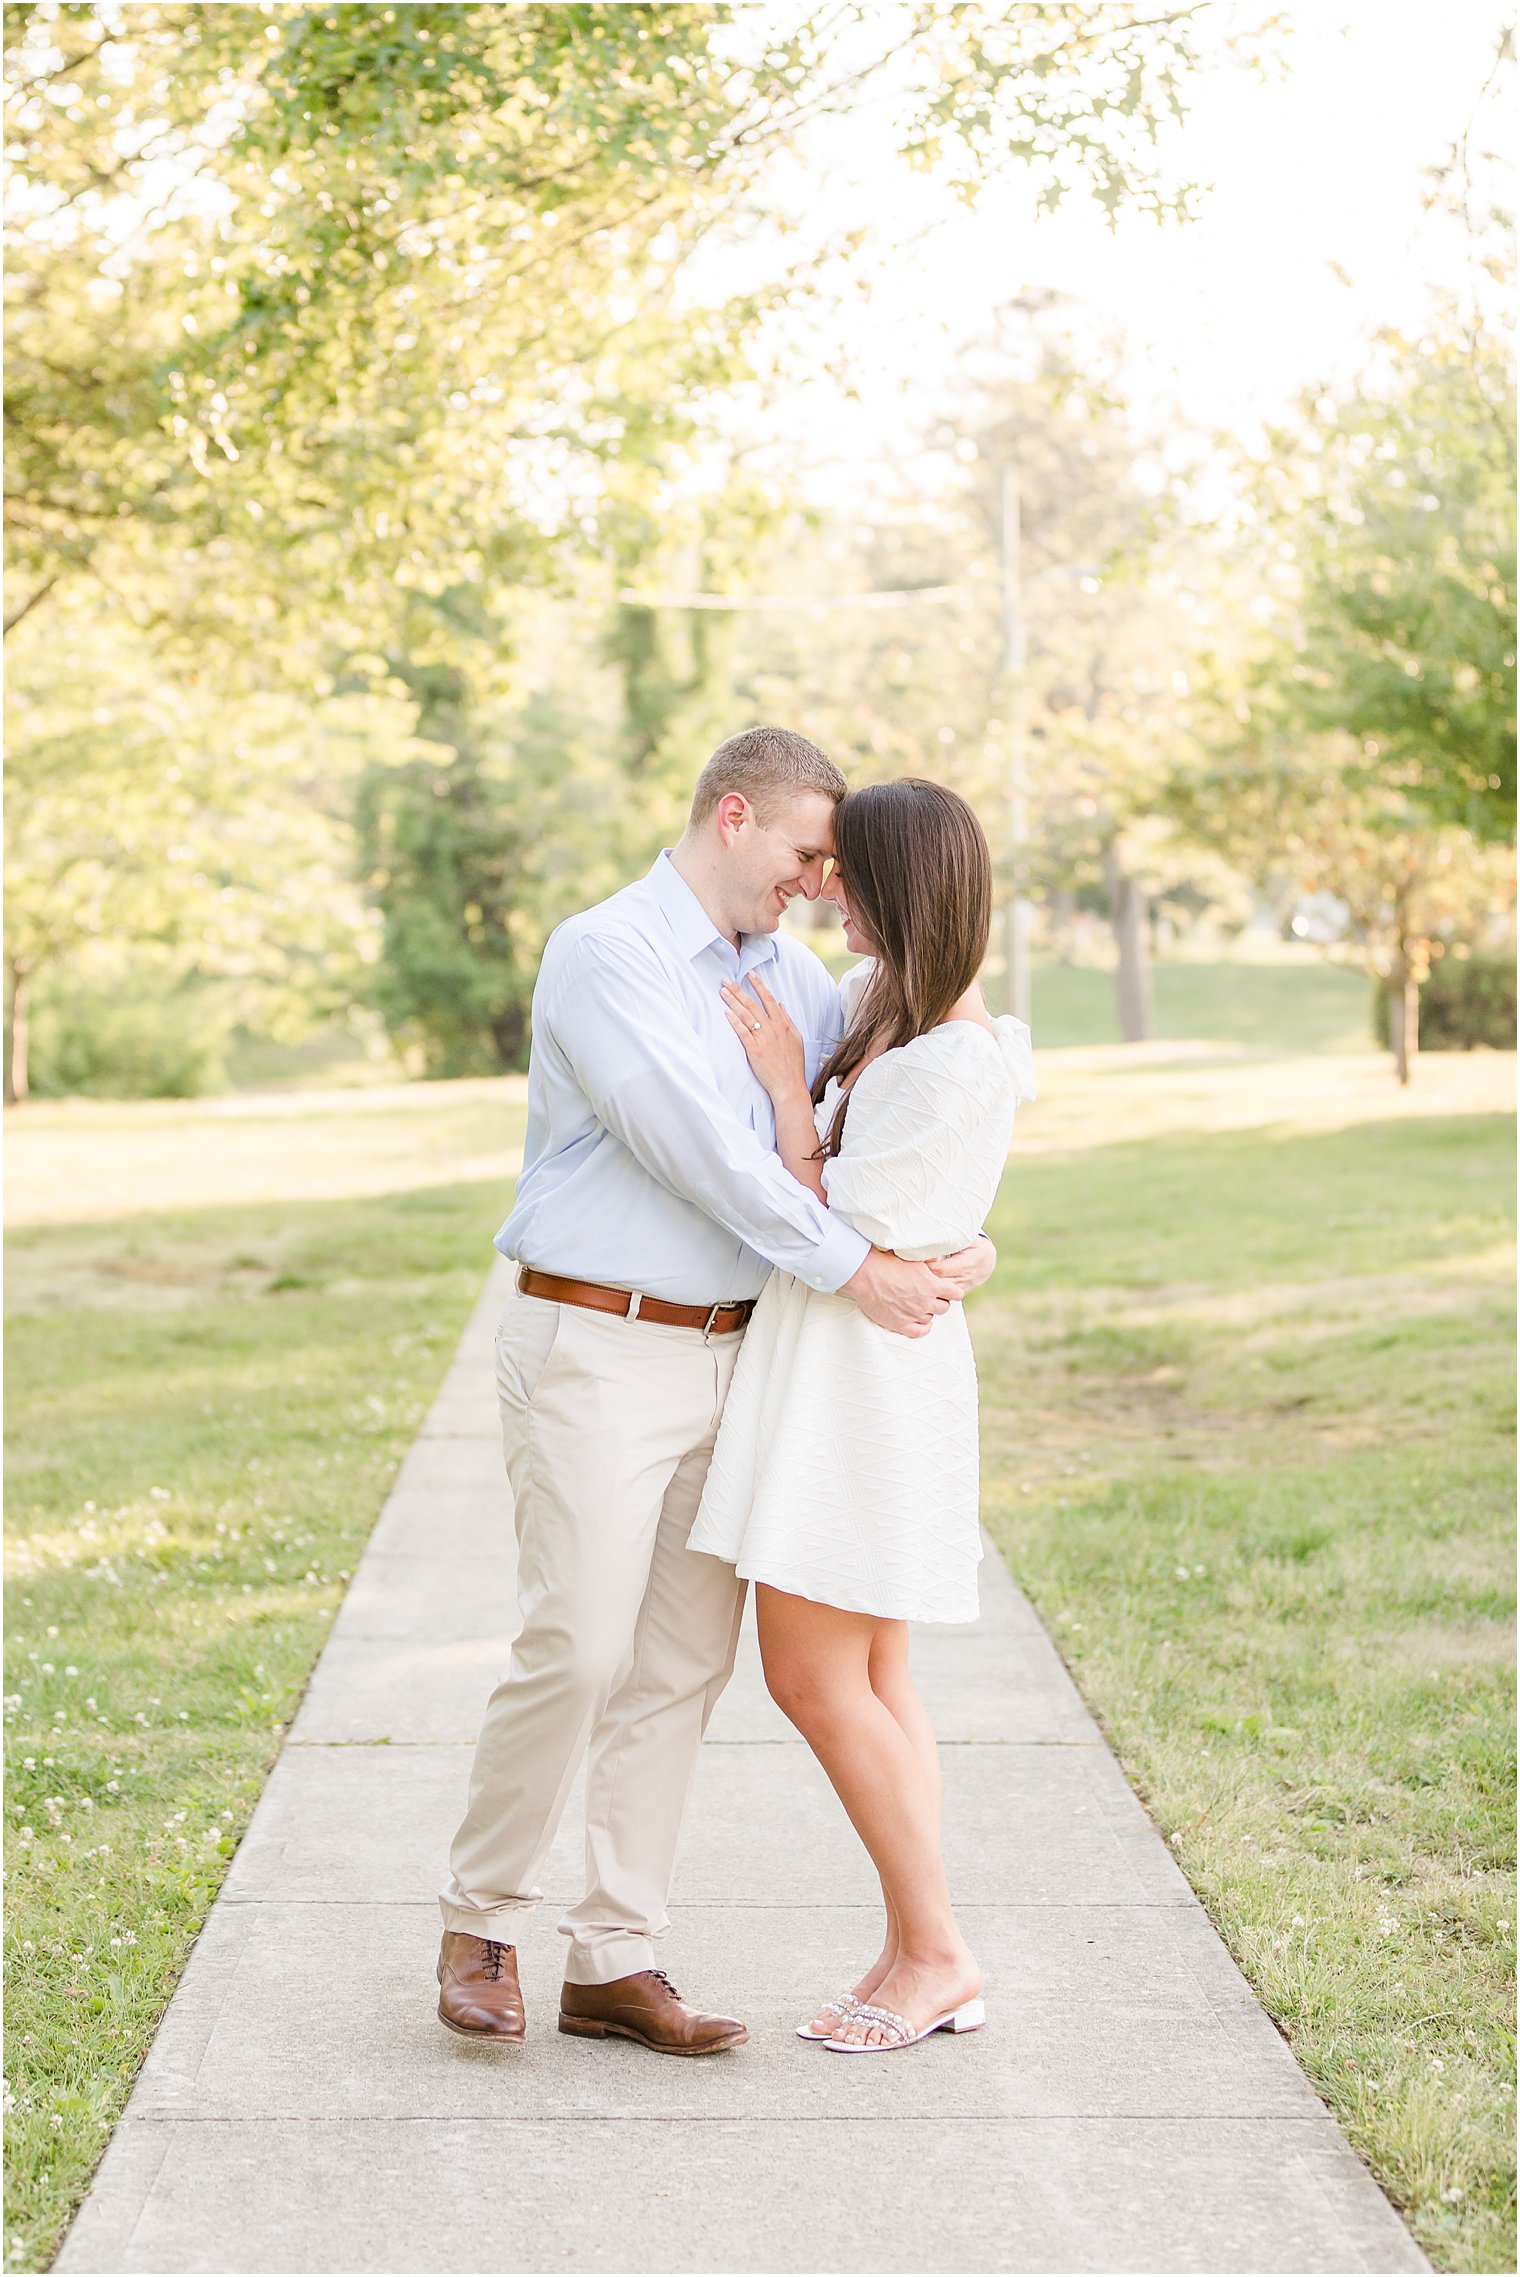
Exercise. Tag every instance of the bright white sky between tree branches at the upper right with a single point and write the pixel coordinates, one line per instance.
(1225, 318)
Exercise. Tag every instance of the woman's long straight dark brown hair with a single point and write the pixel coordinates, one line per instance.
(918, 878)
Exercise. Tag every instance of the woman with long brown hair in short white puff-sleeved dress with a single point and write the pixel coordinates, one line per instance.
(845, 1479)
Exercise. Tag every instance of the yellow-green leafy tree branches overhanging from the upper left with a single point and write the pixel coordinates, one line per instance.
(317, 304)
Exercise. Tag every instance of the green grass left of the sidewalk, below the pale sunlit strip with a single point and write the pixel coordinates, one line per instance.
(206, 1413)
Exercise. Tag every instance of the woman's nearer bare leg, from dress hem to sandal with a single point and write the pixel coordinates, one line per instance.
(818, 1666)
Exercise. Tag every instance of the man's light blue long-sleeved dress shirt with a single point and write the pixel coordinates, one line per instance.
(652, 1149)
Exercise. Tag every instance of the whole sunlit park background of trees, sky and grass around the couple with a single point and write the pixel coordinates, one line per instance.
(431, 429)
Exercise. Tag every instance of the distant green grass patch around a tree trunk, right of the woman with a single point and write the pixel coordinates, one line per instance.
(1287, 1005)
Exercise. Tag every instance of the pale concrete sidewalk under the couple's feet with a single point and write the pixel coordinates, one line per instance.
(1130, 2107)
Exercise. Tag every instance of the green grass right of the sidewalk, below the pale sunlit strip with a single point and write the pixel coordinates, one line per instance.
(1248, 1413)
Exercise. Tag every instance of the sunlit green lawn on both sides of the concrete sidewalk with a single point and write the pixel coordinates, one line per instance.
(1244, 1365)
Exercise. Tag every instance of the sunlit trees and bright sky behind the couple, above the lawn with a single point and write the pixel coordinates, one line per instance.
(386, 568)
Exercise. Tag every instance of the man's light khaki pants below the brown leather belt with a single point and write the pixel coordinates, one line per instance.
(627, 1636)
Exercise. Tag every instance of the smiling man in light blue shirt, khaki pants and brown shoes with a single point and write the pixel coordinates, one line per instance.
(650, 1213)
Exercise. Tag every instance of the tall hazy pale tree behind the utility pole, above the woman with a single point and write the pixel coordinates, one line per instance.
(920, 684)
